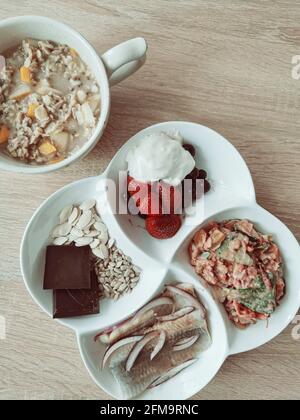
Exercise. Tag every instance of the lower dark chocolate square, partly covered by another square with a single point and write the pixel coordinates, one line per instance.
(68, 303)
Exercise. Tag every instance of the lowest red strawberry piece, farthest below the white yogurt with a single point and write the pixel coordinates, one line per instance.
(163, 226)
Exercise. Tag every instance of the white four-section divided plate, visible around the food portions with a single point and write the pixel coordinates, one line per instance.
(232, 196)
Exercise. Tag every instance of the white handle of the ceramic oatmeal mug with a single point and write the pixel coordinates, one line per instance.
(124, 59)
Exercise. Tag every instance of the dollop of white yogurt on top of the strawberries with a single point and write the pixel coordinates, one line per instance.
(160, 157)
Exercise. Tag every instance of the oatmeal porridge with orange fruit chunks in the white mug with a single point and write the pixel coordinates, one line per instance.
(49, 102)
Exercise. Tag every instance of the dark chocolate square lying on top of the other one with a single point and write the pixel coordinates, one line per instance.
(67, 267)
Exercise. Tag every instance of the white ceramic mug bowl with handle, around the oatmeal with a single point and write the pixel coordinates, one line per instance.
(112, 67)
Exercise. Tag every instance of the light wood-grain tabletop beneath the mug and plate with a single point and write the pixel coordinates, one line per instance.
(223, 63)
